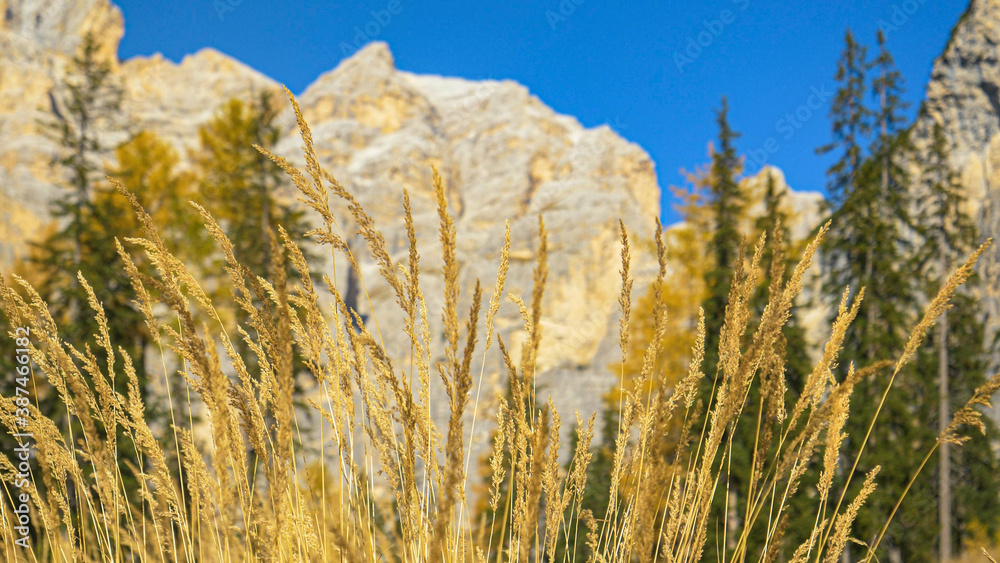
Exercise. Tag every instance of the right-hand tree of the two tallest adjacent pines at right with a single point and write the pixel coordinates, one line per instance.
(890, 310)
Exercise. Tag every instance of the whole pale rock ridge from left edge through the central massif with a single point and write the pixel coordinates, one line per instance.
(503, 154)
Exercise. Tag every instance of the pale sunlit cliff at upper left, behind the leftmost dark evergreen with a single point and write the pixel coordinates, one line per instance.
(37, 42)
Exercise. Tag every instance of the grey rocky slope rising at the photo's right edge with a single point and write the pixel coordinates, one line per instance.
(963, 96)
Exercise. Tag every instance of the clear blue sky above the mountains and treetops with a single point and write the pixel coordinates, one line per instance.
(601, 61)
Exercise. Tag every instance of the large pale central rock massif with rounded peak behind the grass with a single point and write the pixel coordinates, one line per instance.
(504, 157)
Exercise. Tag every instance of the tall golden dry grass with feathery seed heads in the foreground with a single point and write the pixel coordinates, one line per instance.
(283, 503)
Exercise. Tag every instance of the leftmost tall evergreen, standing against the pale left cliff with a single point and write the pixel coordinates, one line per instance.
(85, 111)
